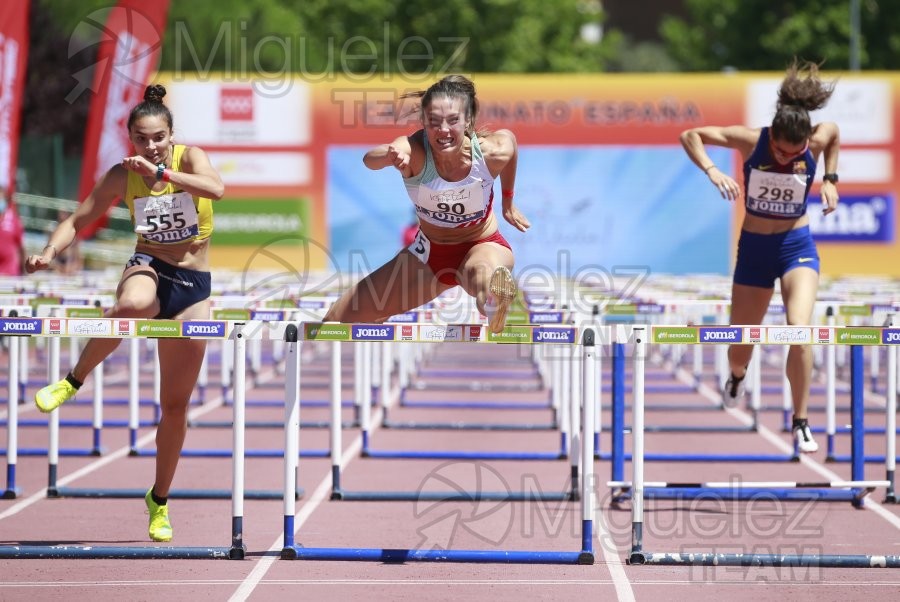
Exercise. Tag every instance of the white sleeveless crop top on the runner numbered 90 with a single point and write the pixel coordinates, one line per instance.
(452, 204)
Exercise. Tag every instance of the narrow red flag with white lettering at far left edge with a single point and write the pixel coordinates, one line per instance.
(13, 55)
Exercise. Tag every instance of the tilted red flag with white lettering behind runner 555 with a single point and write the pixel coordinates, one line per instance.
(128, 54)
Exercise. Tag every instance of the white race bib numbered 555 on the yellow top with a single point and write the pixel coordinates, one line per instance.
(166, 218)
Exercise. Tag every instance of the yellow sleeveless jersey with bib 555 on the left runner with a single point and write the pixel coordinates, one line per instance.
(171, 215)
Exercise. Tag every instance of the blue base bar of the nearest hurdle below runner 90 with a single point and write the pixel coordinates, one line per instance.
(399, 556)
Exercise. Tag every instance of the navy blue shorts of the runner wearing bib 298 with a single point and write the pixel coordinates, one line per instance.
(763, 258)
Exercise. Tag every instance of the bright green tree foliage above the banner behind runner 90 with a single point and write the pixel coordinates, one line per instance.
(323, 37)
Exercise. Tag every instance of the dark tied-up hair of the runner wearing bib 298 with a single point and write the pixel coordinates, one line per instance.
(801, 91)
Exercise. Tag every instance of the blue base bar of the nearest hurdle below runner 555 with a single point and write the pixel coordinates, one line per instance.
(125, 552)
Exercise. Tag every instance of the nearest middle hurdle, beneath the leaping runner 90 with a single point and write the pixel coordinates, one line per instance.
(295, 551)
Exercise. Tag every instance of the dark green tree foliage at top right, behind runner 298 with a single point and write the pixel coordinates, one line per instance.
(760, 35)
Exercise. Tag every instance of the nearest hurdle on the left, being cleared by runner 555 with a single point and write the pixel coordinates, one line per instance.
(237, 332)
